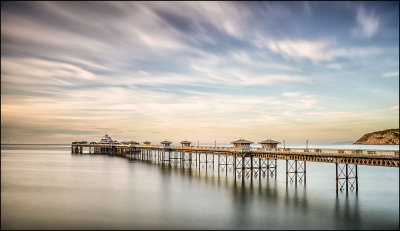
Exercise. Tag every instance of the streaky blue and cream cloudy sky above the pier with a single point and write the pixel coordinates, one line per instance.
(199, 71)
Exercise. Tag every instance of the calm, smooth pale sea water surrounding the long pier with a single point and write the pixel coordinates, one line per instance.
(45, 187)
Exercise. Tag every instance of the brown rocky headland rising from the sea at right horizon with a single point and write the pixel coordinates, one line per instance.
(388, 136)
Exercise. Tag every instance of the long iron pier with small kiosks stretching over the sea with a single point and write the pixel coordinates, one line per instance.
(246, 162)
